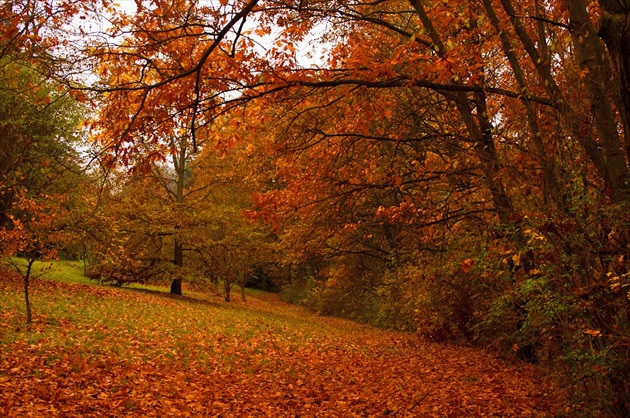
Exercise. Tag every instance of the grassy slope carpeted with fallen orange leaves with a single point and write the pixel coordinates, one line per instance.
(96, 351)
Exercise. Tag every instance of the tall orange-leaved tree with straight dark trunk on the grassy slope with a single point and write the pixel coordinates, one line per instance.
(165, 123)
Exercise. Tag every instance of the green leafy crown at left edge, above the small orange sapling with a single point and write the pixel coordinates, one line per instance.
(38, 123)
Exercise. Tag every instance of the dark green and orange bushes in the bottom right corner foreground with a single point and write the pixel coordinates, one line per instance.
(574, 306)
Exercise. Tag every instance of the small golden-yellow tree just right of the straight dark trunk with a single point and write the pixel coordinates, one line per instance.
(230, 245)
